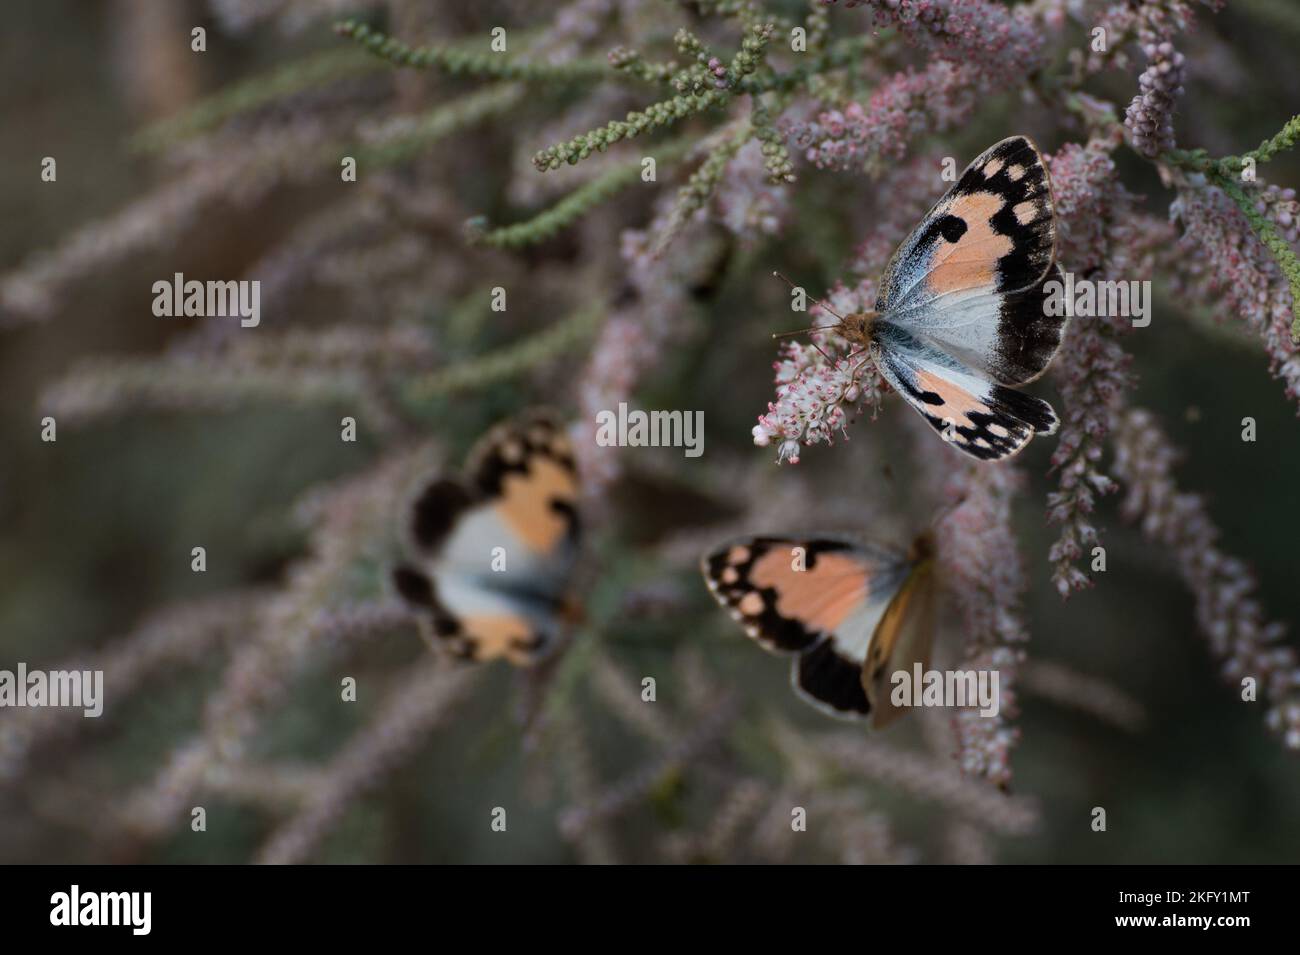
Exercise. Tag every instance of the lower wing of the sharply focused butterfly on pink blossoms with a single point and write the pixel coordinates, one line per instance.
(986, 422)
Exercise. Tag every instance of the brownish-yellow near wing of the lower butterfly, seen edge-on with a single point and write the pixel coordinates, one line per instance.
(904, 637)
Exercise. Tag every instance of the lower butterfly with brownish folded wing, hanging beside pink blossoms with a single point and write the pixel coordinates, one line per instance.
(855, 614)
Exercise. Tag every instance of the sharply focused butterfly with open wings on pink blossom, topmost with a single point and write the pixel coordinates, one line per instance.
(960, 319)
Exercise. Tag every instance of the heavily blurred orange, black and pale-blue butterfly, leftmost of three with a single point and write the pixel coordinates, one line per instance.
(497, 546)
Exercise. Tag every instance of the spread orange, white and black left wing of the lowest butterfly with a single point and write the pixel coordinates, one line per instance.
(826, 613)
